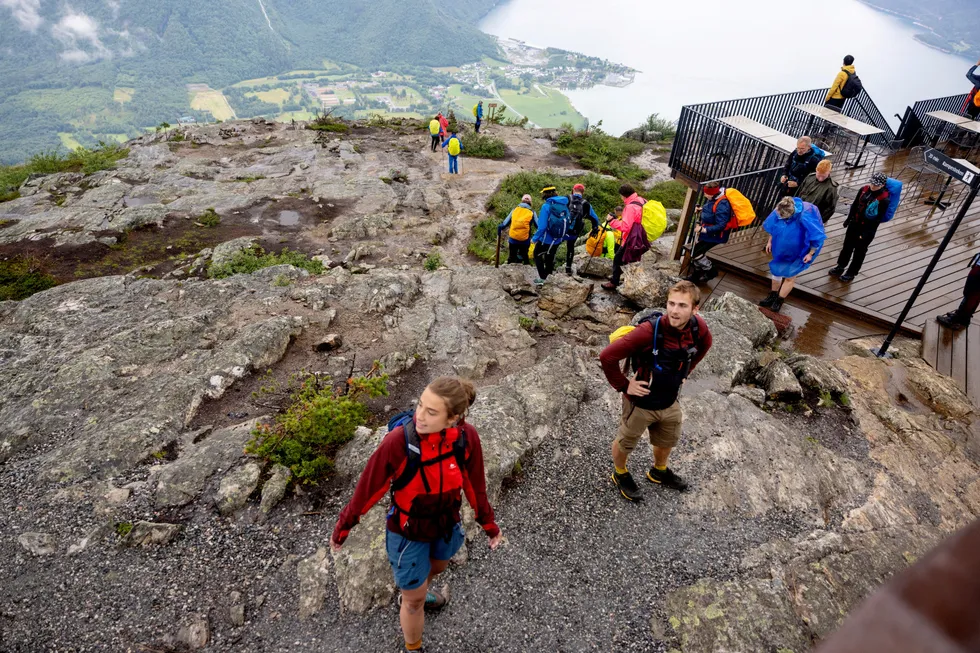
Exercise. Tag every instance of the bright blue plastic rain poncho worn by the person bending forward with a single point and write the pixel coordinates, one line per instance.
(793, 237)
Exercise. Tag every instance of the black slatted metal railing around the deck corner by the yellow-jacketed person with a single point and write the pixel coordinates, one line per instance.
(706, 148)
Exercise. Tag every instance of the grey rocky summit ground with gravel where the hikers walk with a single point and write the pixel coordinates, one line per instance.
(131, 520)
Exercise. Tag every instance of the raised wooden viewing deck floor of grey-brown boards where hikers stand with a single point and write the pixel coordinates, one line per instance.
(895, 262)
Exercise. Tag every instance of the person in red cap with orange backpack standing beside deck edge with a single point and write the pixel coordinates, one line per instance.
(724, 210)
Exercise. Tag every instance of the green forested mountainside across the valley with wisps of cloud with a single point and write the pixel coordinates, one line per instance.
(117, 66)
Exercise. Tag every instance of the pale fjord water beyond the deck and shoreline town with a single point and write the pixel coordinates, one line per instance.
(709, 50)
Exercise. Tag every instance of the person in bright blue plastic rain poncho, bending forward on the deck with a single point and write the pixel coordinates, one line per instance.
(796, 236)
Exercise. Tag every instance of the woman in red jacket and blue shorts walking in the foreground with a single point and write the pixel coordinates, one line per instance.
(428, 464)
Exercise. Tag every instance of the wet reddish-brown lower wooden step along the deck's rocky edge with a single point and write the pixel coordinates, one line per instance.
(818, 330)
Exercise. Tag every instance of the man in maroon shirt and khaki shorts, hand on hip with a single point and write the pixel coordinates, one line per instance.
(662, 352)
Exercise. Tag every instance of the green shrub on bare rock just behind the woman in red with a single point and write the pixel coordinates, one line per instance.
(317, 422)
